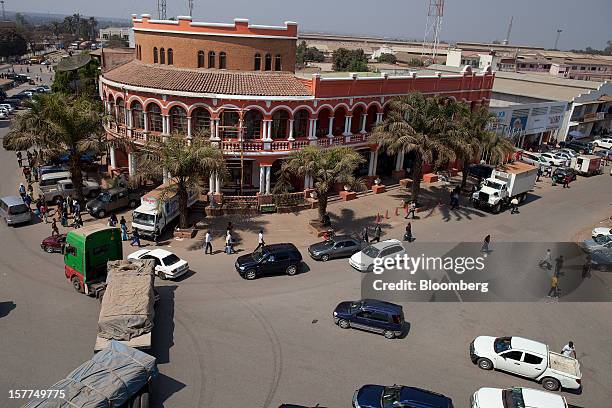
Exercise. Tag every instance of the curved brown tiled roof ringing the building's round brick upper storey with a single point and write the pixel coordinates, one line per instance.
(208, 81)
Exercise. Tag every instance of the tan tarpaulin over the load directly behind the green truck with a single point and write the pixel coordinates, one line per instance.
(128, 304)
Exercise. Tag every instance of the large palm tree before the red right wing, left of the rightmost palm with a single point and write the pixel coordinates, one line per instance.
(419, 125)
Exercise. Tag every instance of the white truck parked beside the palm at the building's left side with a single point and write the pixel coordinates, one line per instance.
(158, 209)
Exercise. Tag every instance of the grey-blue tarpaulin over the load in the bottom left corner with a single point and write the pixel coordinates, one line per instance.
(109, 379)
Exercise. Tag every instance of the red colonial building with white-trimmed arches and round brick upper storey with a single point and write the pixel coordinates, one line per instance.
(236, 85)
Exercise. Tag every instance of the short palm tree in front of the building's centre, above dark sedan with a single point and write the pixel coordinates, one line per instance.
(327, 167)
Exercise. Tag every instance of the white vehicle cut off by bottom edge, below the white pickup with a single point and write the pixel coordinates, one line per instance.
(516, 397)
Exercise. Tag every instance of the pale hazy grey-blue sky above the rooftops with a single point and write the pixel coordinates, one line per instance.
(584, 22)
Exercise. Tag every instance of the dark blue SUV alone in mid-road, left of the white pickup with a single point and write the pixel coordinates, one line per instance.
(373, 315)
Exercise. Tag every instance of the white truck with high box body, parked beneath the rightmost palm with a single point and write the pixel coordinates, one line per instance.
(506, 182)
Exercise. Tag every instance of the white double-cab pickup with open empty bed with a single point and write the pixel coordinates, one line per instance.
(526, 358)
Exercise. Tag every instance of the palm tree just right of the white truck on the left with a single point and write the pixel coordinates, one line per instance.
(187, 164)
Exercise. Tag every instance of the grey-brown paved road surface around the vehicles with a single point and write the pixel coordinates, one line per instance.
(222, 341)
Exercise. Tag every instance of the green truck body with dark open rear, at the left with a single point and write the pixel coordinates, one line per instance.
(86, 252)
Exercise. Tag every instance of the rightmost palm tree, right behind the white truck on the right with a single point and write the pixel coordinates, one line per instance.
(473, 130)
